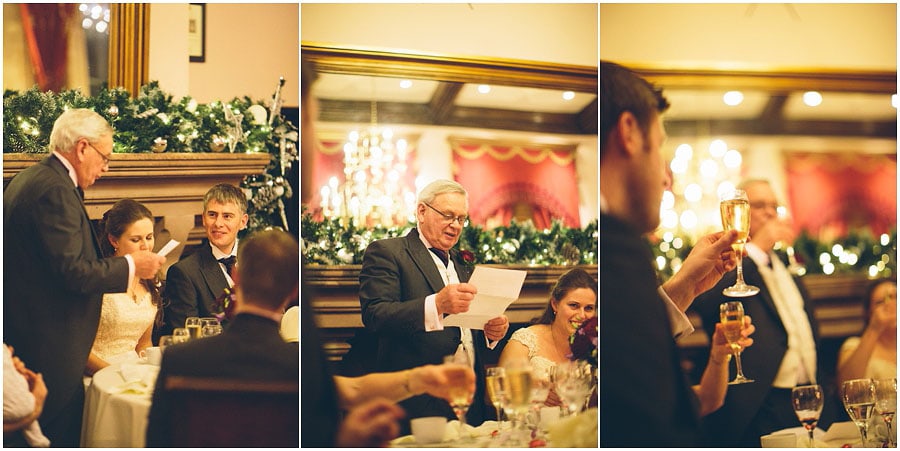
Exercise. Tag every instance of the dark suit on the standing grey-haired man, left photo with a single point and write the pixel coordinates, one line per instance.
(54, 279)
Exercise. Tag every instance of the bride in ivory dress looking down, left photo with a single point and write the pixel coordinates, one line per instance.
(126, 319)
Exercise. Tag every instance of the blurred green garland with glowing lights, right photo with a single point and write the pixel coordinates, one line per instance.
(874, 256)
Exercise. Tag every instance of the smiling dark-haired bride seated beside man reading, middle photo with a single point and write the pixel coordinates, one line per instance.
(545, 343)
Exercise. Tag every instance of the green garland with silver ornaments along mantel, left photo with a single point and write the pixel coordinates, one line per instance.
(153, 118)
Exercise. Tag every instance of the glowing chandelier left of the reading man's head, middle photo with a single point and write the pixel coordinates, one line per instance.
(375, 189)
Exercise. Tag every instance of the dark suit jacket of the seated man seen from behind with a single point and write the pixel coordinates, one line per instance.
(250, 348)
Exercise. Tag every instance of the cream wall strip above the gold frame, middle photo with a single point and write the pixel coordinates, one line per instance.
(560, 33)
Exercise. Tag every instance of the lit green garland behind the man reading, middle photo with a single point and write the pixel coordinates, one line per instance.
(329, 242)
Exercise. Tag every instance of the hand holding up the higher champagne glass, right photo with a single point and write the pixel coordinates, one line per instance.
(708, 261)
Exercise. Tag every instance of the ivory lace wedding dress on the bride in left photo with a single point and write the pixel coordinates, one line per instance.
(123, 322)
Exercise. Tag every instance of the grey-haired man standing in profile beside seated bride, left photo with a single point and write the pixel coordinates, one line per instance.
(54, 276)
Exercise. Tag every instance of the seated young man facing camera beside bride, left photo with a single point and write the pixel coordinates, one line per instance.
(195, 282)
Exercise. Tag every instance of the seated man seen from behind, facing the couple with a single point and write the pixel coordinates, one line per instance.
(251, 347)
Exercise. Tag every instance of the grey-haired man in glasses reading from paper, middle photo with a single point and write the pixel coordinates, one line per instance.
(406, 287)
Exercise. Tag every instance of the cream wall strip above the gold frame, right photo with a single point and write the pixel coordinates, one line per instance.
(762, 36)
